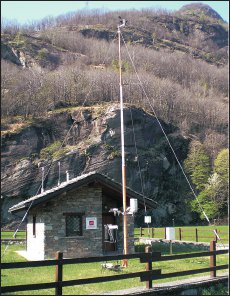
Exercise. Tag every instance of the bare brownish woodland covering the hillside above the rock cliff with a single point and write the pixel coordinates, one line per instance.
(181, 59)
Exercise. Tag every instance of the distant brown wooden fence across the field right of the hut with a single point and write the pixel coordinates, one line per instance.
(182, 234)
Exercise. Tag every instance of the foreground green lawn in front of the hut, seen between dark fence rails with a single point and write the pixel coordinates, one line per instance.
(77, 271)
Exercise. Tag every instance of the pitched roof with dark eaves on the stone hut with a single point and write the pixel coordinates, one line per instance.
(77, 182)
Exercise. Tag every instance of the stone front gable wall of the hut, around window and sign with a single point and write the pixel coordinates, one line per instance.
(85, 200)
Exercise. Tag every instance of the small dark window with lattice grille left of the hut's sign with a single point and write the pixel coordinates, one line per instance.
(73, 224)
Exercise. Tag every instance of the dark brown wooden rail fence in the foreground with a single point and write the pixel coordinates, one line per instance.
(145, 276)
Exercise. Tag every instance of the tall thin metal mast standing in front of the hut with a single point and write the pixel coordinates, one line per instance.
(125, 230)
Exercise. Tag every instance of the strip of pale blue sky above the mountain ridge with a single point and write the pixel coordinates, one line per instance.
(26, 11)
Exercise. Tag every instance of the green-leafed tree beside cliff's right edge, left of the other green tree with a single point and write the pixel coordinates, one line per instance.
(198, 165)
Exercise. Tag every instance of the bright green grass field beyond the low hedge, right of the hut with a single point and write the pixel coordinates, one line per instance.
(205, 233)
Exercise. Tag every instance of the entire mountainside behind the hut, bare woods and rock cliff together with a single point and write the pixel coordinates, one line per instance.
(66, 72)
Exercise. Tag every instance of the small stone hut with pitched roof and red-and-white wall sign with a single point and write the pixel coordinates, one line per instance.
(73, 218)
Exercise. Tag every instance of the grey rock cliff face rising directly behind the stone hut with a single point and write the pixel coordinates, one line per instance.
(93, 144)
